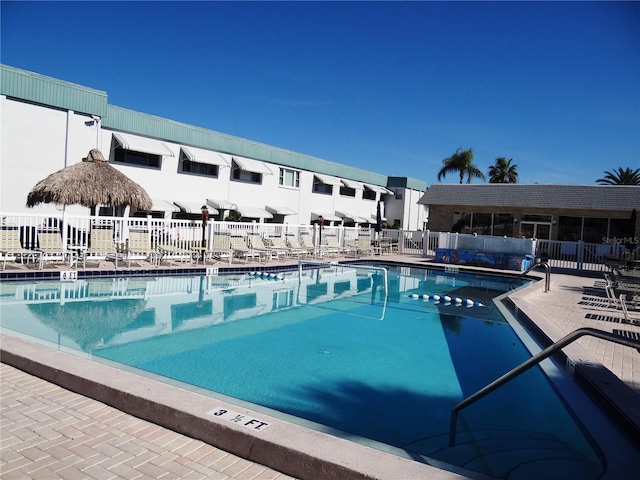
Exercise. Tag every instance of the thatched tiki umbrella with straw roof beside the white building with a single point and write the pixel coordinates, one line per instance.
(90, 183)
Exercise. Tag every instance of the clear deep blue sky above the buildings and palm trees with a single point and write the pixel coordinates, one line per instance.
(389, 87)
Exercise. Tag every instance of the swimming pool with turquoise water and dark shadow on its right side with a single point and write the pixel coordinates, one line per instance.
(329, 347)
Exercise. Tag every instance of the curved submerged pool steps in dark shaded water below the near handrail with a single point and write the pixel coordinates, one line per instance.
(512, 455)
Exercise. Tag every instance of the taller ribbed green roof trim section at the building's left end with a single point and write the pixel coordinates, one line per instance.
(45, 90)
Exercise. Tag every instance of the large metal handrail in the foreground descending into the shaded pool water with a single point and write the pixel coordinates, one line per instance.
(547, 352)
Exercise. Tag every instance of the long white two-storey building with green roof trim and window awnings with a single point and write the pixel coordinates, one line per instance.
(47, 124)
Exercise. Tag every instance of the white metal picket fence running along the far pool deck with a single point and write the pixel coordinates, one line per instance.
(75, 231)
